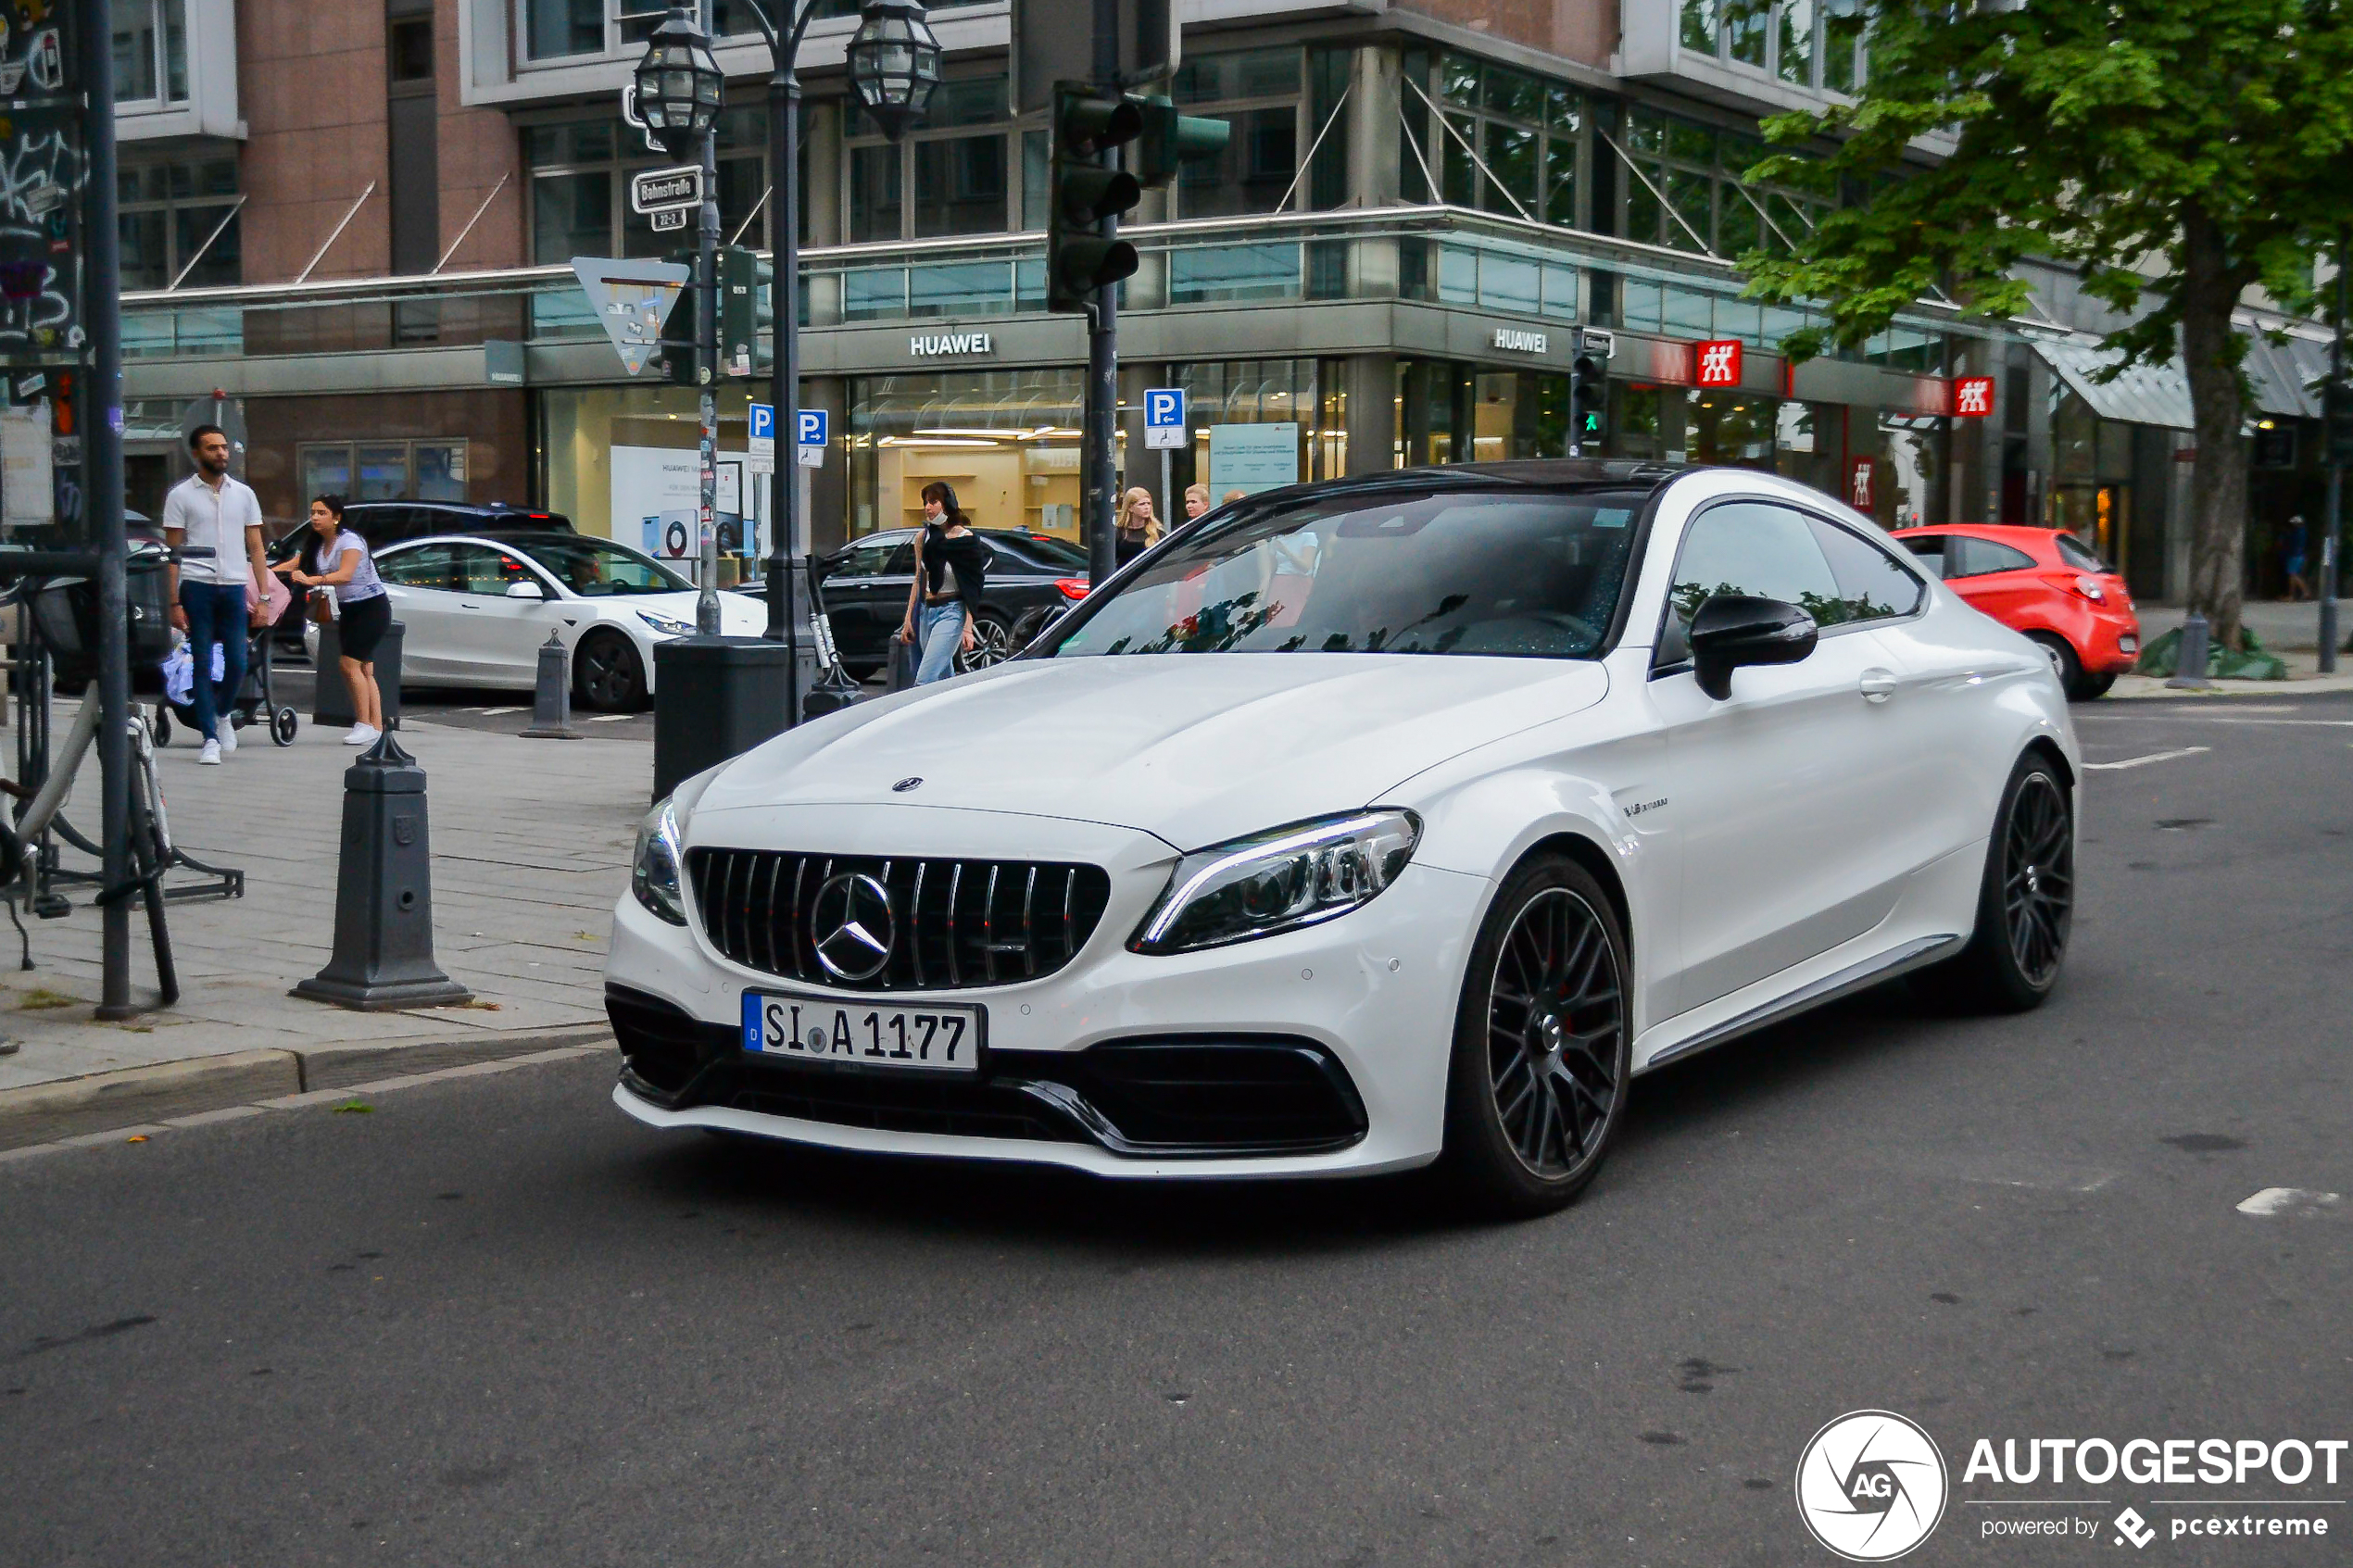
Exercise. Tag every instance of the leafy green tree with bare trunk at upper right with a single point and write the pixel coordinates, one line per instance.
(2175, 152)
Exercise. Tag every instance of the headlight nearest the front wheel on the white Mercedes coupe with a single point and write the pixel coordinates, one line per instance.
(1279, 880)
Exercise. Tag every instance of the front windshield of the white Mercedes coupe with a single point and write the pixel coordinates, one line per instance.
(1505, 575)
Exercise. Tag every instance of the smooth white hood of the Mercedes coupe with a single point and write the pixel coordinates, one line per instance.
(1189, 746)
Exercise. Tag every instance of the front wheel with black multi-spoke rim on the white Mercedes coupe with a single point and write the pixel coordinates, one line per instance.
(1542, 1052)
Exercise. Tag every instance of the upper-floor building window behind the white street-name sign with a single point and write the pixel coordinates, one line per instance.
(580, 187)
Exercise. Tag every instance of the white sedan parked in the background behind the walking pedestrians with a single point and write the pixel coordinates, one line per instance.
(474, 612)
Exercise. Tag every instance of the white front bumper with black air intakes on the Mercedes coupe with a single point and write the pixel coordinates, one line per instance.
(1319, 1052)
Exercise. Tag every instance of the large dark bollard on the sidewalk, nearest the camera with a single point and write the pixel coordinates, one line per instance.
(385, 894)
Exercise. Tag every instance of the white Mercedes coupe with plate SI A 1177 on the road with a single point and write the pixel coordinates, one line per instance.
(1364, 826)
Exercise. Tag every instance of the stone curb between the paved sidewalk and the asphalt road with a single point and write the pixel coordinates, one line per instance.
(161, 1092)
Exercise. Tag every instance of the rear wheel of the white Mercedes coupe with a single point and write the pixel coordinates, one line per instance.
(2025, 902)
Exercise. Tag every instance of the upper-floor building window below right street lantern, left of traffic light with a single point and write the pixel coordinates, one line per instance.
(947, 177)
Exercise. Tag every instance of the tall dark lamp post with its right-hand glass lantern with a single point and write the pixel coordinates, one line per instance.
(893, 69)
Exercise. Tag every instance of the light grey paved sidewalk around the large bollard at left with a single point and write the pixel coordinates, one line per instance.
(531, 850)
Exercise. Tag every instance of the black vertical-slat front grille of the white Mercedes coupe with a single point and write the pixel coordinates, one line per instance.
(954, 923)
